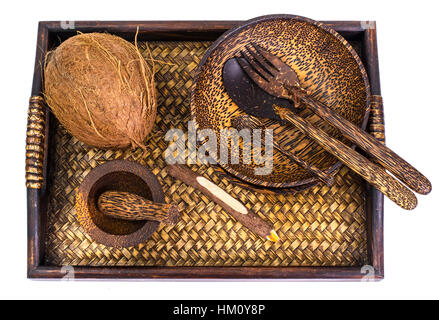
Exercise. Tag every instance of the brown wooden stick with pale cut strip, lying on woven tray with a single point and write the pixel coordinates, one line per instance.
(229, 204)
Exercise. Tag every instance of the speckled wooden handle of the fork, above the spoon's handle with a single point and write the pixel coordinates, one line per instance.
(386, 157)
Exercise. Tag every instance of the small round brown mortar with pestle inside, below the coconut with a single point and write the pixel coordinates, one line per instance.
(122, 176)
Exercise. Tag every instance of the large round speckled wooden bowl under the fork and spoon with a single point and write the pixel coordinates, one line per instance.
(326, 65)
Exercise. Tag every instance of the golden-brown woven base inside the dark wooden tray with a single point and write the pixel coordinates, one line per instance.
(319, 227)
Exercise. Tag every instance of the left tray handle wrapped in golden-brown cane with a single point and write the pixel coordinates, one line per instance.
(35, 134)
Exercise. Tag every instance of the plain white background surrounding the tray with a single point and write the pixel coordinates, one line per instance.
(408, 52)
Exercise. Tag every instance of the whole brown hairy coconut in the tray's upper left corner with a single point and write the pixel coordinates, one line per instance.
(101, 90)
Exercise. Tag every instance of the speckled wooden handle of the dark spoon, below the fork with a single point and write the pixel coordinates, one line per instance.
(371, 172)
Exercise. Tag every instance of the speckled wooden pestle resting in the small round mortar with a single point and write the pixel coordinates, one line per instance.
(129, 206)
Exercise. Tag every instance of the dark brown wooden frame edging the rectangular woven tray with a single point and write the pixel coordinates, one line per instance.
(52, 32)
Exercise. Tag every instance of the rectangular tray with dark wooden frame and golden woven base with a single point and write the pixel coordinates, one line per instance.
(328, 233)
